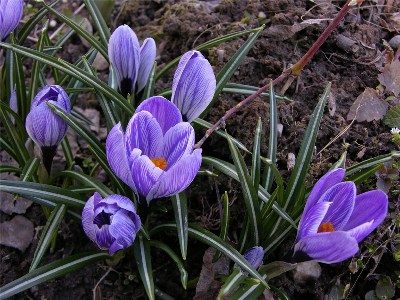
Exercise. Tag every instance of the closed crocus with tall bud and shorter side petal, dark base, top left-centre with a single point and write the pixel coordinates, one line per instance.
(131, 62)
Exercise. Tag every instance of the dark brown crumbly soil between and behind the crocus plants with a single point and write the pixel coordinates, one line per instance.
(177, 27)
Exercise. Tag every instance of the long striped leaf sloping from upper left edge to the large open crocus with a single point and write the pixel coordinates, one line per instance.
(75, 72)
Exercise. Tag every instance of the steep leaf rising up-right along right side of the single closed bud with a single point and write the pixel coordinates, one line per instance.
(227, 71)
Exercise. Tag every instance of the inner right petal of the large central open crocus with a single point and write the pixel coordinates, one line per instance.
(178, 141)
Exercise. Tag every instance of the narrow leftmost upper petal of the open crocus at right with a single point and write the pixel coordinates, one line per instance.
(324, 183)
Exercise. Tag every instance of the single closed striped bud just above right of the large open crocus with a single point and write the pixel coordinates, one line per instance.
(193, 86)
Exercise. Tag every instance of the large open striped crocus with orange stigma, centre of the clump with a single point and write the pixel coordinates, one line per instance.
(155, 155)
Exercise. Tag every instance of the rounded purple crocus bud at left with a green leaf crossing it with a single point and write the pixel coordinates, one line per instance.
(44, 127)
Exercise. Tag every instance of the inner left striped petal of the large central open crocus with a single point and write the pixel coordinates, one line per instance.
(144, 132)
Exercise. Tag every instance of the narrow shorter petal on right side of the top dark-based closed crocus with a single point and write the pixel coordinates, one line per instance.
(147, 58)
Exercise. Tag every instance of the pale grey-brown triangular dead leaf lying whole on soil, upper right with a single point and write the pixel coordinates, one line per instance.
(367, 107)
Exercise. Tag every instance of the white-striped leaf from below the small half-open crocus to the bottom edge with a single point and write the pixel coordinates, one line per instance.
(143, 260)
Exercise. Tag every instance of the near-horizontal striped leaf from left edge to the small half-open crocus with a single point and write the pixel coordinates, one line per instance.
(47, 192)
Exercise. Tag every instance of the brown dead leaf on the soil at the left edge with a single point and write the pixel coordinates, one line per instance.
(16, 233)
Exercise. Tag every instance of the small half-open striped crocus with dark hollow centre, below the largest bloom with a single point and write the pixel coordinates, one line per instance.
(111, 223)
